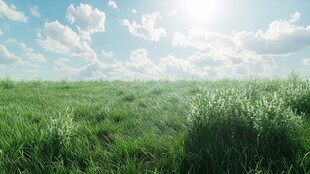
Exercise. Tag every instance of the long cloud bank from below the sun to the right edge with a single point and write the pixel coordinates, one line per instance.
(281, 37)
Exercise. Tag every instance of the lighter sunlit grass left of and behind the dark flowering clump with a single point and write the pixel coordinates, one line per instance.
(117, 127)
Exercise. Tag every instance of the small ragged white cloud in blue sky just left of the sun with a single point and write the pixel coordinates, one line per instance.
(146, 29)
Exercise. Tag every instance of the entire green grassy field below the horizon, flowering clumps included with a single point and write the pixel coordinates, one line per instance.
(227, 126)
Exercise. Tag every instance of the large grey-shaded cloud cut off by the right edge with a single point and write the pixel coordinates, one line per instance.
(282, 37)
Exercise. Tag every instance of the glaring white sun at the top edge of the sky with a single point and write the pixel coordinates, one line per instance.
(201, 11)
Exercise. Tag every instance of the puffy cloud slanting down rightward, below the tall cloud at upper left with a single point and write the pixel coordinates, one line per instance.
(62, 40)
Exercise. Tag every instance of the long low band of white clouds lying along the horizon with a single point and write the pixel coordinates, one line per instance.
(141, 66)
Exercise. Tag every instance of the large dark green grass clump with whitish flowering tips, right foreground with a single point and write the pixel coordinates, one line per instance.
(230, 132)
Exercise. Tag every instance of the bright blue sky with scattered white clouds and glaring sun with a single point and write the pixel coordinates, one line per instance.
(153, 40)
